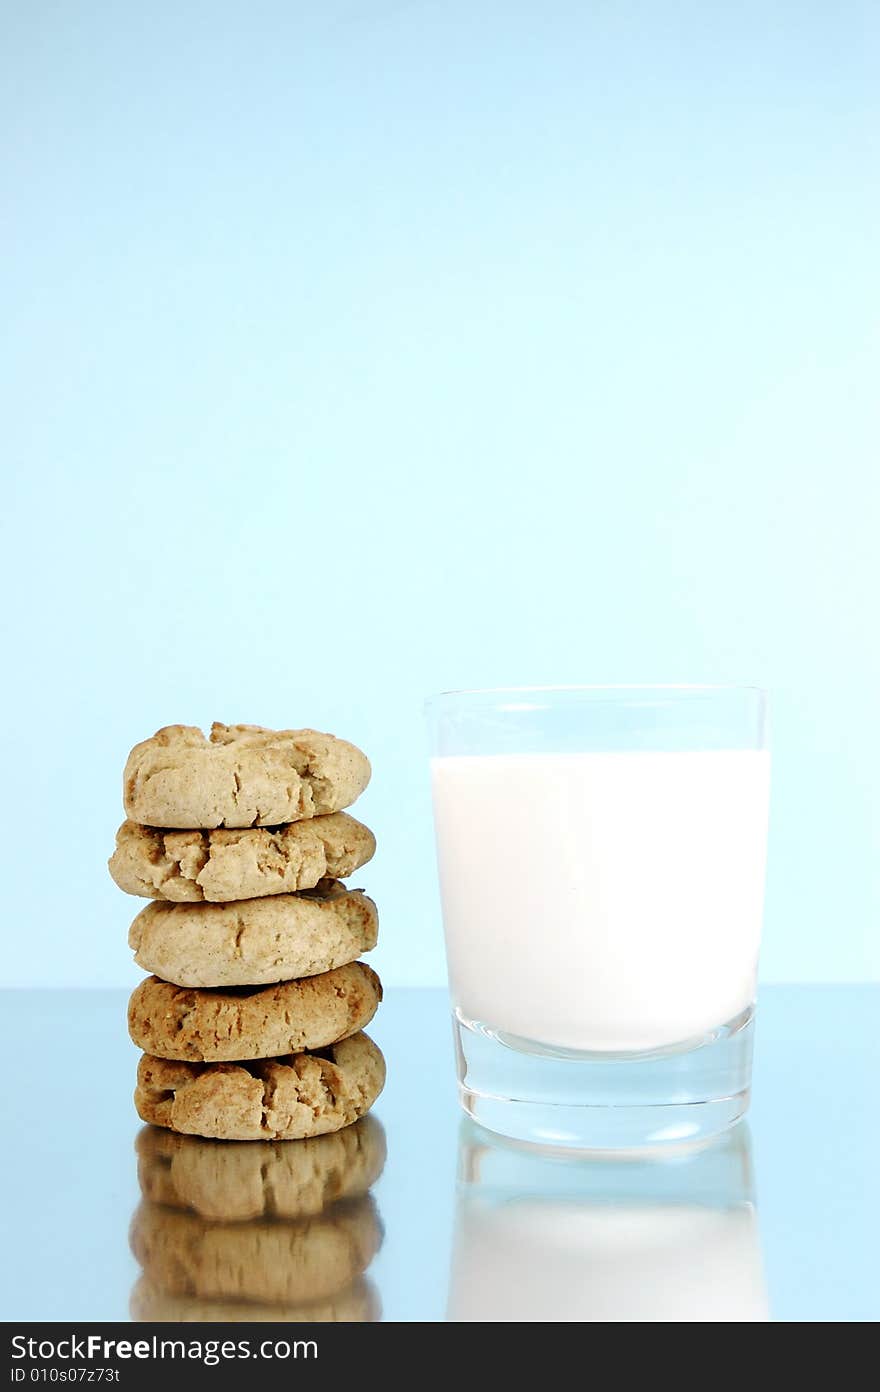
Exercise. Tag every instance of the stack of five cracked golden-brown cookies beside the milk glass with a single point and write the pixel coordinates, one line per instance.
(253, 1020)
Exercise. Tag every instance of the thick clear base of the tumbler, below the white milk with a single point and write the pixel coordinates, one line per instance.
(566, 1100)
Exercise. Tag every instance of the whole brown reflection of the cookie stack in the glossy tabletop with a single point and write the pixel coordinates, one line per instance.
(257, 1230)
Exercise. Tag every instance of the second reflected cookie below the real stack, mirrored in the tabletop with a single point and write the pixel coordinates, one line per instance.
(276, 1263)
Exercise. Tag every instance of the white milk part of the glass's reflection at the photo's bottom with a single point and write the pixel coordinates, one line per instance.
(538, 1260)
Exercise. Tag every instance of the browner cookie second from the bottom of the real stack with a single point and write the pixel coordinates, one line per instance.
(253, 1021)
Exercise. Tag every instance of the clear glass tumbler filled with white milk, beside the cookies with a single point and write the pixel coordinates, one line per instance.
(602, 867)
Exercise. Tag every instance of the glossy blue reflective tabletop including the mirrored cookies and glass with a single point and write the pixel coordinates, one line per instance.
(425, 1219)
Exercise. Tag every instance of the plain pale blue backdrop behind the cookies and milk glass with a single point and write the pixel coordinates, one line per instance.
(357, 351)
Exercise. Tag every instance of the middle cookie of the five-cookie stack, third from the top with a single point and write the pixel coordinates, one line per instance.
(257, 942)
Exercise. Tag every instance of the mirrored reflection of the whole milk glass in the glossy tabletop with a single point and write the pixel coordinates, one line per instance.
(542, 1238)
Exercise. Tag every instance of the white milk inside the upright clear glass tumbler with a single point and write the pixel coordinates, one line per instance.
(602, 901)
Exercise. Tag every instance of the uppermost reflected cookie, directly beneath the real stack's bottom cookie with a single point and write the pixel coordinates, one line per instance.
(230, 1183)
